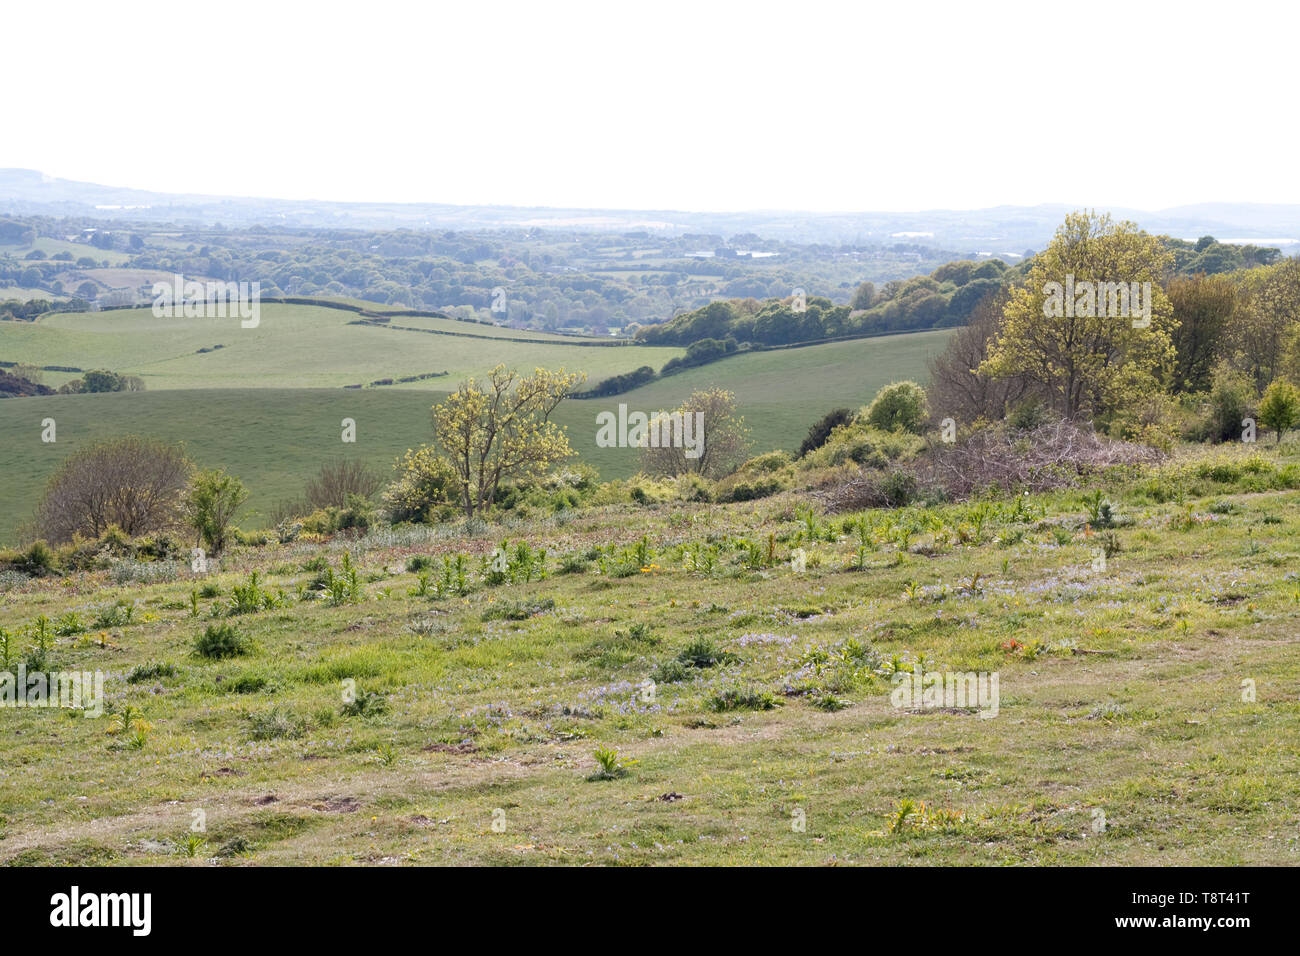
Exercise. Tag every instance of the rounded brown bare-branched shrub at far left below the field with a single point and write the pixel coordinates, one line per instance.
(133, 483)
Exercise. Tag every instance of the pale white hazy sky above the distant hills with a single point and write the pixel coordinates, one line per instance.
(688, 106)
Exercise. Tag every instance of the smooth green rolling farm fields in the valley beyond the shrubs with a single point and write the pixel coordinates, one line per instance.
(262, 406)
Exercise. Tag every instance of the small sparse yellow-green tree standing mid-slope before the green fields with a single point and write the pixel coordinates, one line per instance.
(502, 430)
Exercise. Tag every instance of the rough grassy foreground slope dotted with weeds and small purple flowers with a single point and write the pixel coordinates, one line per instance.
(1125, 733)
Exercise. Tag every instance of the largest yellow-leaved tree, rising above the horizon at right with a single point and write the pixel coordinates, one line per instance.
(1065, 328)
